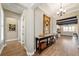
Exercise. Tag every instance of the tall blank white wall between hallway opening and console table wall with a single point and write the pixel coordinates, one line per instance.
(29, 30)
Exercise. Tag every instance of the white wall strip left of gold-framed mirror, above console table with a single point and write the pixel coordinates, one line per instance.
(38, 21)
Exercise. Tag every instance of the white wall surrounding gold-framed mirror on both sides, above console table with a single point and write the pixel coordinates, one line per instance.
(39, 22)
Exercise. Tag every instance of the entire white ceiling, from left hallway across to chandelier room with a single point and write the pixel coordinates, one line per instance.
(51, 8)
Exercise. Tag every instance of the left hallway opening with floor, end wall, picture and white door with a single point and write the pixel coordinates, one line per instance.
(14, 34)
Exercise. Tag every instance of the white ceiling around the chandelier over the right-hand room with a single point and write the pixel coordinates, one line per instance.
(52, 8)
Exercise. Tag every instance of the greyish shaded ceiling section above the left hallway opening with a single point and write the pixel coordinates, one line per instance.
(13, 7)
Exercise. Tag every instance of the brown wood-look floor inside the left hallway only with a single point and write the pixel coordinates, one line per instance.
(14, 48)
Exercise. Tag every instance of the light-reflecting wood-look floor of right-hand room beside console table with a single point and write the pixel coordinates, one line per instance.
(64, 46)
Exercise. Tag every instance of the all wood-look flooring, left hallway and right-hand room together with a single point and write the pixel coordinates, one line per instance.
(64, 46)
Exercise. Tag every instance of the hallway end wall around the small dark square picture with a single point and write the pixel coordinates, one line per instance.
(11, 18)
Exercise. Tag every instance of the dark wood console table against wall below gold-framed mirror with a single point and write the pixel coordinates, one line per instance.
(48, 40)
